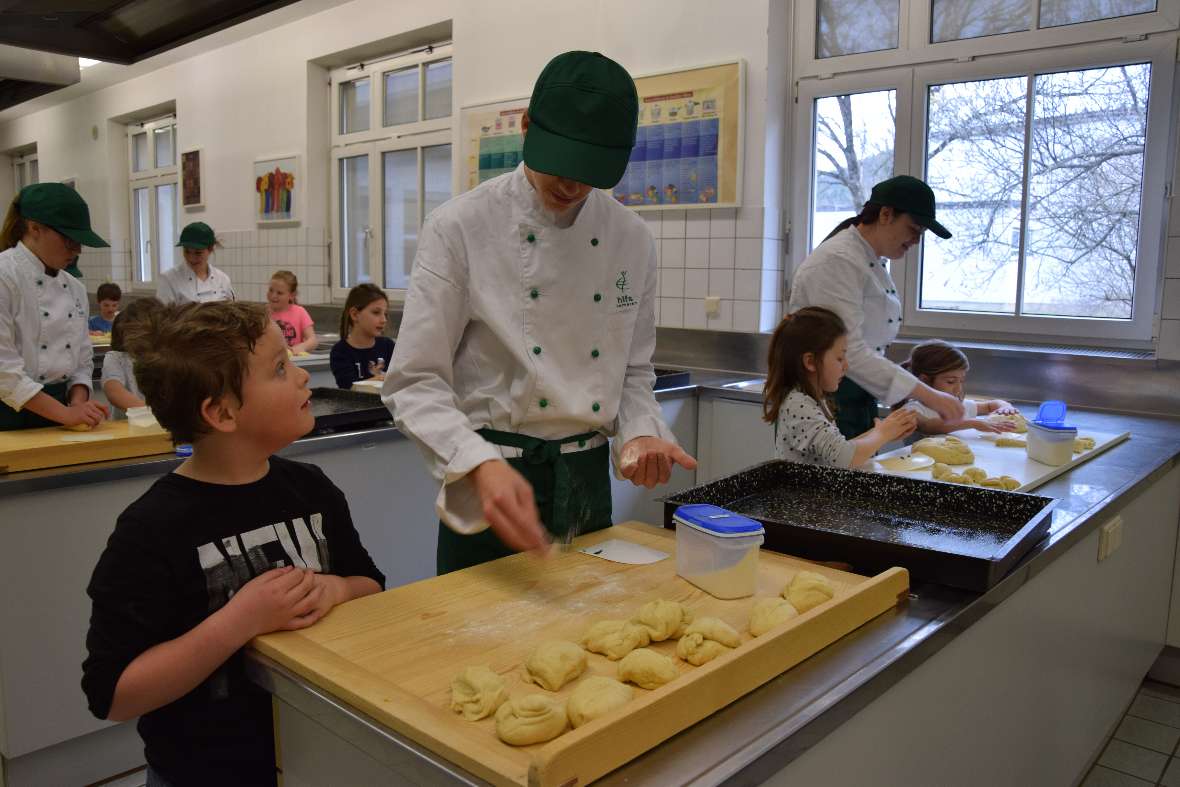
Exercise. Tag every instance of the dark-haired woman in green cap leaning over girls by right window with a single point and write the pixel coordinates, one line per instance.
(849, 276)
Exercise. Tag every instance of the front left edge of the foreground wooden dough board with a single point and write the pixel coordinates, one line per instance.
(401, 711)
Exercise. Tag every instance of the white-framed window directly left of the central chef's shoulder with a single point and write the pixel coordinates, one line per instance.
(391, 165)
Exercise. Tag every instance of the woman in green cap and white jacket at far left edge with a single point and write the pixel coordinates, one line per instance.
(47, 359)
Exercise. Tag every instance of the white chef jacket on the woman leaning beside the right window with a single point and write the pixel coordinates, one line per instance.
(845, 276)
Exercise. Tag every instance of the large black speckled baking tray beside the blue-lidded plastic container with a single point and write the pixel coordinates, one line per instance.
(967, 537)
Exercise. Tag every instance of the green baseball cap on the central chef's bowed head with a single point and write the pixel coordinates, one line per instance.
(582, 120)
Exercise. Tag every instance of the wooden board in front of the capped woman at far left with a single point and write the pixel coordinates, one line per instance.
(58, 448)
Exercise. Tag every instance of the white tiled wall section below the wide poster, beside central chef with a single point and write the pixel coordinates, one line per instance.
(724, 253)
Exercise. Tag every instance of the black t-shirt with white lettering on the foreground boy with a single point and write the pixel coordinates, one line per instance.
(176, 556)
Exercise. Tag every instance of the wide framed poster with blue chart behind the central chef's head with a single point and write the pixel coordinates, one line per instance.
(689, 146)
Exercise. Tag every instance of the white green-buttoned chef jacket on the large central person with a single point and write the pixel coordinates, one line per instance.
(515, 324)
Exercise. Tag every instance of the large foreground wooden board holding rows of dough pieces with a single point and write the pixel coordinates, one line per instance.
(392, 657)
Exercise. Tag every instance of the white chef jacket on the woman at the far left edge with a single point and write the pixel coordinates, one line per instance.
(44, 338)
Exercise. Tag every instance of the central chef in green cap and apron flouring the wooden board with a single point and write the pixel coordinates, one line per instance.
(529, 329)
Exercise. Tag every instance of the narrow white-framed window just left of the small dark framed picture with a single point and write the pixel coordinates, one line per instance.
(155, 200)
